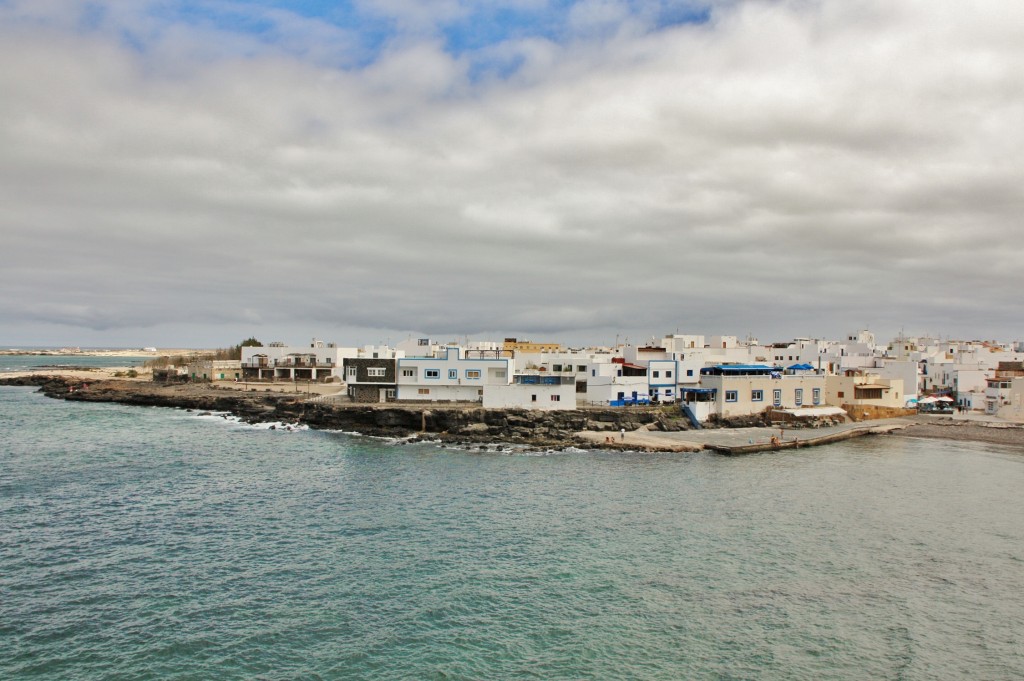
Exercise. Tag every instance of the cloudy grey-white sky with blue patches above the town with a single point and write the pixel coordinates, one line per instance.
(189, 175)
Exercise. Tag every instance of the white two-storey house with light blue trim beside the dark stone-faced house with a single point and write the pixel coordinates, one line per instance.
(450, 377)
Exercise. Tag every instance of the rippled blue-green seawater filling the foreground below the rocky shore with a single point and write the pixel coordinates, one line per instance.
(159, 544)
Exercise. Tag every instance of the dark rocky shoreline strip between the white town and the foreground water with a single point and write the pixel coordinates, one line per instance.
(650, 430)
